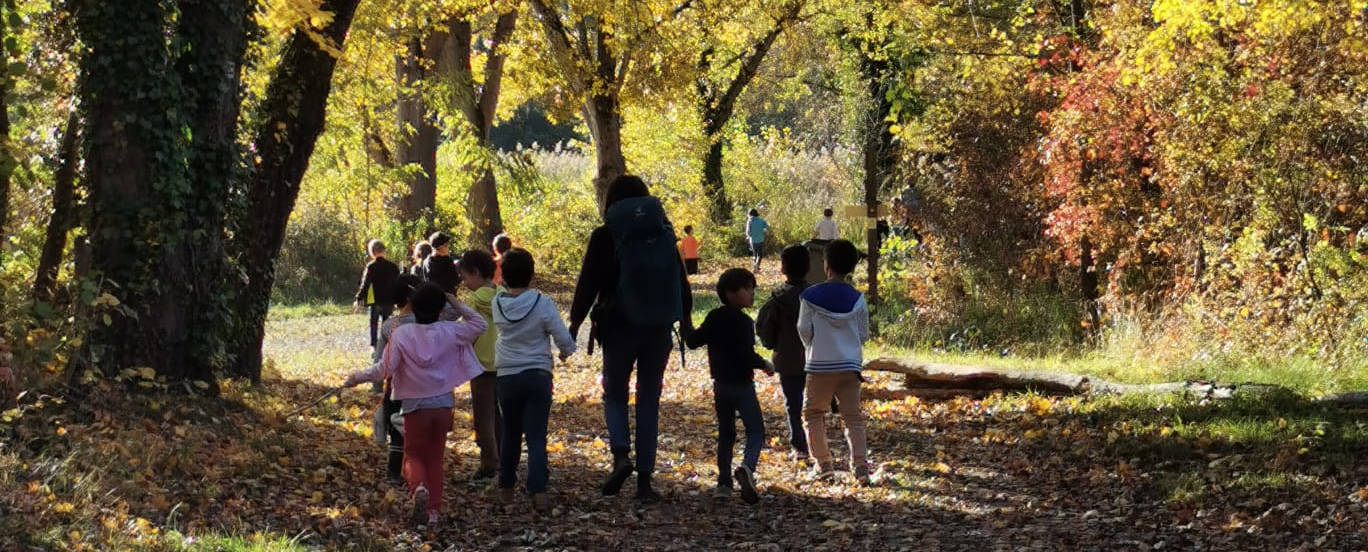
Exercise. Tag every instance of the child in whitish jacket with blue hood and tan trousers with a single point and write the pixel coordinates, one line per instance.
(834, 325)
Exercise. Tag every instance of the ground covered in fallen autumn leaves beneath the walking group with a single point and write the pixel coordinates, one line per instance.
(151, 469)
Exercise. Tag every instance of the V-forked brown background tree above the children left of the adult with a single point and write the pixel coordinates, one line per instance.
(477, 102)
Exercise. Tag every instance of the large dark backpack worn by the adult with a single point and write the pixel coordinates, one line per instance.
(649, 290)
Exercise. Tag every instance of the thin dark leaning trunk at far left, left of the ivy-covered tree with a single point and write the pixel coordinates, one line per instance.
(64, 207)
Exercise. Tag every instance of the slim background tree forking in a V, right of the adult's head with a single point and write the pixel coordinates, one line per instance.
(718, 98)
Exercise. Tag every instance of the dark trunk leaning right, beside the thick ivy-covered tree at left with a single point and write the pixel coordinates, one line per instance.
(289, 125)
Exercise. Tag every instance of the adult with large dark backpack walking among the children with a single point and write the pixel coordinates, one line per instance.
(633, 288)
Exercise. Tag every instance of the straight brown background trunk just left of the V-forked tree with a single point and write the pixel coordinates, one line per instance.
(417, 144)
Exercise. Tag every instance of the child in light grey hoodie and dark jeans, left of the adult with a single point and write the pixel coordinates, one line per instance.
(523, 359)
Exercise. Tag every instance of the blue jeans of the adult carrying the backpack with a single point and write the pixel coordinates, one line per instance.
(649, 350)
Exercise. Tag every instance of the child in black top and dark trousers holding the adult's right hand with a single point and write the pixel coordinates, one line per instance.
(730, 337)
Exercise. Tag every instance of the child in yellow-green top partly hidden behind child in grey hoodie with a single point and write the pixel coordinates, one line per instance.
(477, 271)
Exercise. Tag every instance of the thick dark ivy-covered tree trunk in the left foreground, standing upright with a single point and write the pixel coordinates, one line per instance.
(150, 223)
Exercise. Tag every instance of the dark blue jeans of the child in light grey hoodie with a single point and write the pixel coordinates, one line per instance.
(526, 401)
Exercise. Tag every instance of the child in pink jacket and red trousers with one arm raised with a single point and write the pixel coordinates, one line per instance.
(425, 363)
